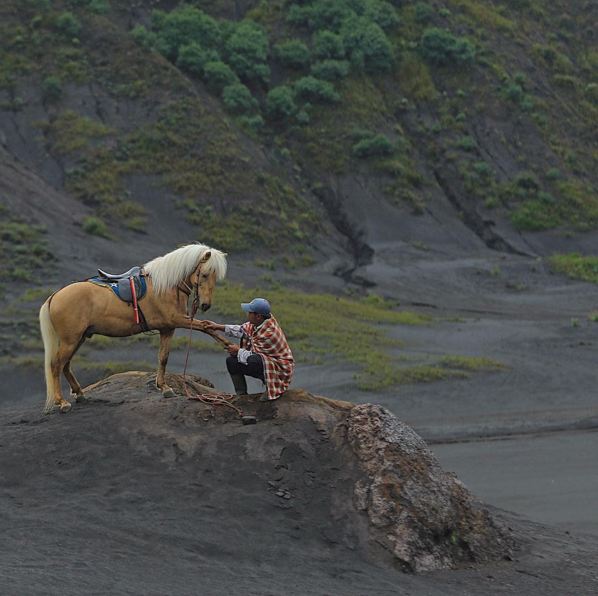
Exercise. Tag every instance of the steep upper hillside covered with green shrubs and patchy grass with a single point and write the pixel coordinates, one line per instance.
(499, 100)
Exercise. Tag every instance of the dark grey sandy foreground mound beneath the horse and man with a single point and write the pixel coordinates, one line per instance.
(134, 494)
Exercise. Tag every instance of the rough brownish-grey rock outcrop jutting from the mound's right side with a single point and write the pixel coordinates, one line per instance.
(424, 516)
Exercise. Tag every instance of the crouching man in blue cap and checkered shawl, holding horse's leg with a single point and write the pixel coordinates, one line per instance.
(264, 352)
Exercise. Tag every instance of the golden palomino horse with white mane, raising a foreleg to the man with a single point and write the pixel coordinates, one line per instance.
(81, 309)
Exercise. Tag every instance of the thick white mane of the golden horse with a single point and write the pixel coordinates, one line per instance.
(169, 270)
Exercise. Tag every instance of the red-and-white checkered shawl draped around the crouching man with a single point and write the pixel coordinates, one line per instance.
(269, 342)
